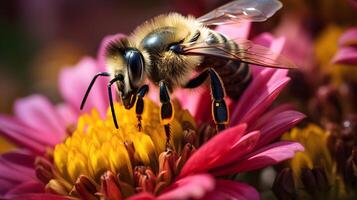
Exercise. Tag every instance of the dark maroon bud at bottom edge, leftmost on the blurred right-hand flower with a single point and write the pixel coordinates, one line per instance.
(283, 186)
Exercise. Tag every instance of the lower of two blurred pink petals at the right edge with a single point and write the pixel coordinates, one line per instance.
(346, 55)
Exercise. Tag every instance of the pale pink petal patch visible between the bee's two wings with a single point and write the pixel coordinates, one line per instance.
(235, 31)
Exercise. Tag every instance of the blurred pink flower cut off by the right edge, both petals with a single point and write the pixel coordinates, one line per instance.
(348, 48)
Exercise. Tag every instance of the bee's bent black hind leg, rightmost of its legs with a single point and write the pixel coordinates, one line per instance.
(219, 108)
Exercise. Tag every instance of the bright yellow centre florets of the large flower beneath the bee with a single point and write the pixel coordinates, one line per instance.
(96, 146)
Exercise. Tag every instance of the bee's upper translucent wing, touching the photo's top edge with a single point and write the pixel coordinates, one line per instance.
(240, 10)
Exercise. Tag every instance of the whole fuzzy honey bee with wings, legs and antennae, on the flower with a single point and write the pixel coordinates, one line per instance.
(168, 49)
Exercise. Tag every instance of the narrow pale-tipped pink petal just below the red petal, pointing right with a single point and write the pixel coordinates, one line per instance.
(269, 155)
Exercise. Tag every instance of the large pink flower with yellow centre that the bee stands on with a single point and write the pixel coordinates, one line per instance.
(93, 159)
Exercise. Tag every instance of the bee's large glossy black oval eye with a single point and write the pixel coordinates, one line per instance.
(135, 62)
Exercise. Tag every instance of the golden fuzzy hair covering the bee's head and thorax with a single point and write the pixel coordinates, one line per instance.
(160, 62)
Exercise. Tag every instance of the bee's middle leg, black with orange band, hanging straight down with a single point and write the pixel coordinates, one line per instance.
(166, 111)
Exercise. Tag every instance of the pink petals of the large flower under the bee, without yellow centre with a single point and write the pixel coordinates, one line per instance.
(248, 144)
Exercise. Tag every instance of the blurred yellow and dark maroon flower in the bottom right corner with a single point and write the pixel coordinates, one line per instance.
(325, 169)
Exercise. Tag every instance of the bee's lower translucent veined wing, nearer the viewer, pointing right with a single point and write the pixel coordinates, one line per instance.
(247, 52)
